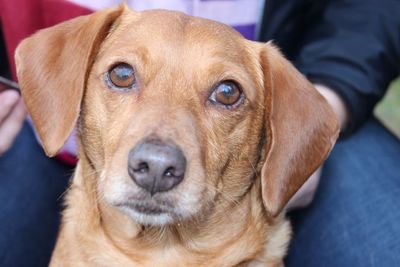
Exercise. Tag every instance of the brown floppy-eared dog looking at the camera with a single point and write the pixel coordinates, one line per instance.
(192, 138)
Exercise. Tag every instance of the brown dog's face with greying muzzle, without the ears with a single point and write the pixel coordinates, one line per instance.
(193, 90)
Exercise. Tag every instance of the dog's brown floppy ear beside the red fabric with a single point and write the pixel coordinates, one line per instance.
(52, 67)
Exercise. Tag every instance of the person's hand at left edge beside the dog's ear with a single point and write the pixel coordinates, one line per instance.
(12, 115)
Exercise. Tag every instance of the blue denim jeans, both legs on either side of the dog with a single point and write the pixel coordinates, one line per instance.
(353, 221)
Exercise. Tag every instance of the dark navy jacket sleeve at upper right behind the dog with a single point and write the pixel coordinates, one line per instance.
(354, 48)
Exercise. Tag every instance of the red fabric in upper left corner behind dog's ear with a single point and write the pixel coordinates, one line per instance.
(21, 18)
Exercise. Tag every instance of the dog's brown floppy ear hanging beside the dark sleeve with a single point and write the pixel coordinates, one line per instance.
(301, 129)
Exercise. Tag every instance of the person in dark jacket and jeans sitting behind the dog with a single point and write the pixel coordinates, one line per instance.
(349, 49)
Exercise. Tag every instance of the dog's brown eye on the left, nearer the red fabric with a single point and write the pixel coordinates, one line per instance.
(122, 75)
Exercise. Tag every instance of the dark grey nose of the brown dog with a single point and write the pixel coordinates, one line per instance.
(156, 166)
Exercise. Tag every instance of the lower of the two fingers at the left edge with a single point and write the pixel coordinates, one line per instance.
(11, 126)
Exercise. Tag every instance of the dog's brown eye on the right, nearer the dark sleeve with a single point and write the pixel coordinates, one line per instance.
(226, 93)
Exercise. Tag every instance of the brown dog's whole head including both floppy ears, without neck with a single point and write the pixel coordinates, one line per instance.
(174, 113)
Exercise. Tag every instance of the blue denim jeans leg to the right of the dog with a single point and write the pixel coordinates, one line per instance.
(355, 217)
